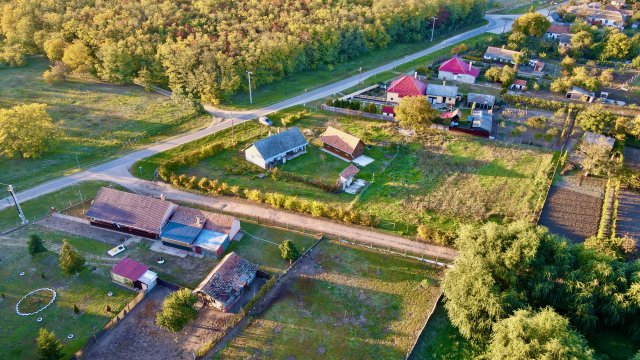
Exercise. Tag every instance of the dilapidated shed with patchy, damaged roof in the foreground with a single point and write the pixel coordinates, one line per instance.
(226, 282)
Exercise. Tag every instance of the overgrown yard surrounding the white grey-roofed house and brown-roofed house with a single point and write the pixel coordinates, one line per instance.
(441, 180)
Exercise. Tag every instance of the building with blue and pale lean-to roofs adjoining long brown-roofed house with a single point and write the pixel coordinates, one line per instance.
(200, 231)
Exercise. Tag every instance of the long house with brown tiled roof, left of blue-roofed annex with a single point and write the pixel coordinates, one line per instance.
(131, 213)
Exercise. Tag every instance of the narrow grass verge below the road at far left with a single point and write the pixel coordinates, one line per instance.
(40, 207)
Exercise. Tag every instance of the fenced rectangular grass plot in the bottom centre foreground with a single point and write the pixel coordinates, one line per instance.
(317, 317)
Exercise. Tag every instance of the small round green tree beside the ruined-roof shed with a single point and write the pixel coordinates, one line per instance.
(177, 310)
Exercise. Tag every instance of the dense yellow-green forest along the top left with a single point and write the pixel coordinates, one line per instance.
(202, 49)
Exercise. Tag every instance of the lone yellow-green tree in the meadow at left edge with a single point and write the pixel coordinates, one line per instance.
(25, 130)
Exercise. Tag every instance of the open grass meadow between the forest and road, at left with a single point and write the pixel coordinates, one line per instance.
(98, 121)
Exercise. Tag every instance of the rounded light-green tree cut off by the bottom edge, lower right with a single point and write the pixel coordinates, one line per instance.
(537, 335)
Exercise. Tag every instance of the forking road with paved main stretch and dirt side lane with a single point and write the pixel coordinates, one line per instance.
(117, 170)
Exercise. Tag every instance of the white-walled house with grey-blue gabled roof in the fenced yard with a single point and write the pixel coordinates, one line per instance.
(277, 149)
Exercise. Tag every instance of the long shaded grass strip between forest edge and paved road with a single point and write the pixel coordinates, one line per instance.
(299, 83)
